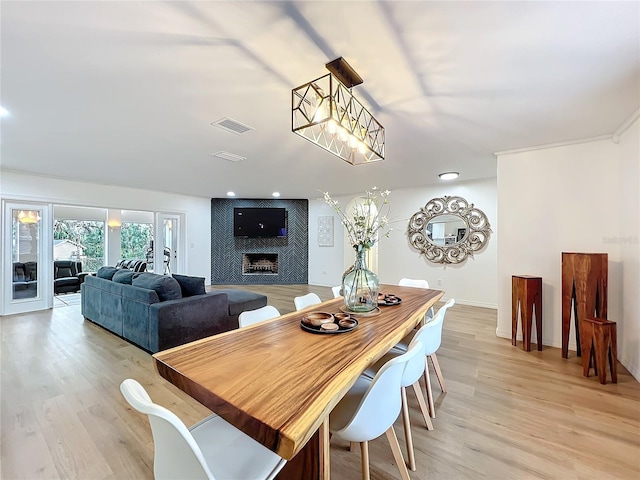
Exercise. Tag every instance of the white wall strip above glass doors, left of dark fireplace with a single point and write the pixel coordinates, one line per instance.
(197, 210)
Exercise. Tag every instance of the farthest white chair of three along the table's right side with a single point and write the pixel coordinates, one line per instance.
(431, 338)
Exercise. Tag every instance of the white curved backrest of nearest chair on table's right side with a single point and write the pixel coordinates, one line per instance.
(380, 406)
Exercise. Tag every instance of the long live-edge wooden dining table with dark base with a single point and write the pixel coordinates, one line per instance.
(278, 383)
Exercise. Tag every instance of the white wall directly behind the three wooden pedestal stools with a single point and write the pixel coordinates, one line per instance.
(575, 198)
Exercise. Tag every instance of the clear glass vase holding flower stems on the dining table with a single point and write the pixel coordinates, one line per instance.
(360, 285)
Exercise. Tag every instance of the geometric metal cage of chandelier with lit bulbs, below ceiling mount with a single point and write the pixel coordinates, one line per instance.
(325, 112)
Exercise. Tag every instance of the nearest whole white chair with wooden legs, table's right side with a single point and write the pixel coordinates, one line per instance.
(370, 408)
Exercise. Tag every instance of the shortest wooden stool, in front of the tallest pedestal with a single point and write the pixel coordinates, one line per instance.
(602, 343)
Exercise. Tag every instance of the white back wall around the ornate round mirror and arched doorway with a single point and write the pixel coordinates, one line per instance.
(473, 283)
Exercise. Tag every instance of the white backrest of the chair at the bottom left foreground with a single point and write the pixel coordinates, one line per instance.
(177, 455)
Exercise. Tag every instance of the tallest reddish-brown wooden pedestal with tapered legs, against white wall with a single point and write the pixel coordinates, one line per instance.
(584, 282)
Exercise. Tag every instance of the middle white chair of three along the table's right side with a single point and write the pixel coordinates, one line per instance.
(410, 378)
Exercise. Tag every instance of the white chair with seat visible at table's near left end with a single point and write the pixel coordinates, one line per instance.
(210, 449)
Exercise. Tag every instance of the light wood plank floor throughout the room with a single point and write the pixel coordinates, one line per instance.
(508, 414)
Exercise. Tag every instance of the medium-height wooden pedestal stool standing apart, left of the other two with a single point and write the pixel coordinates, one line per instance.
(526, 291)
